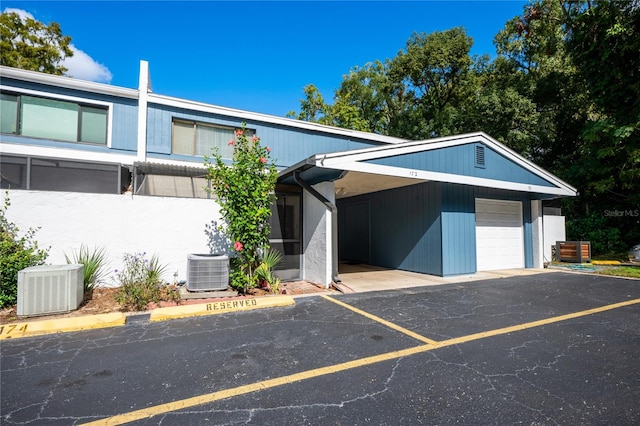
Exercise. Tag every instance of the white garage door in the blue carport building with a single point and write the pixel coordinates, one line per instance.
(499, 235)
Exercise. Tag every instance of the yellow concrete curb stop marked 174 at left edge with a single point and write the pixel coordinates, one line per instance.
(61, 325)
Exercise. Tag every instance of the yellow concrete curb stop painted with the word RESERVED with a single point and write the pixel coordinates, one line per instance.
(219, 307)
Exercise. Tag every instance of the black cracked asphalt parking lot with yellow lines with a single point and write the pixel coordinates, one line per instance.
(540, 349)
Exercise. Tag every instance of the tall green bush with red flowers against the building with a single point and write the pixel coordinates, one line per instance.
(245, 192)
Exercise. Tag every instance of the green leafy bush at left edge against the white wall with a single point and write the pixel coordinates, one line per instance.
(16, 253)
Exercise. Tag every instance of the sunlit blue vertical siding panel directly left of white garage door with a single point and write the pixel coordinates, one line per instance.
(458, 230)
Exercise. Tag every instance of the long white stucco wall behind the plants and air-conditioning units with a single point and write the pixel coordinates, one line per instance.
(172, 228)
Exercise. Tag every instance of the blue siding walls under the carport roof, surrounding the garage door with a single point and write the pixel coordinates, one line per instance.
(428, 228)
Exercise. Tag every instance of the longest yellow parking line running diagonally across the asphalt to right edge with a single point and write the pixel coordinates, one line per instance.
(309, 374)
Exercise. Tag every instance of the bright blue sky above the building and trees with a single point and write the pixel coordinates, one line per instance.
(255, 56)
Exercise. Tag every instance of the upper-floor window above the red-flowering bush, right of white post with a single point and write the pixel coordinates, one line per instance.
(191, 138)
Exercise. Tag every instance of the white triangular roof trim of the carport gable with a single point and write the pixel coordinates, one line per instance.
(354, 160)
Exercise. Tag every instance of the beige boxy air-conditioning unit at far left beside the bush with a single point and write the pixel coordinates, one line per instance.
(50, 289)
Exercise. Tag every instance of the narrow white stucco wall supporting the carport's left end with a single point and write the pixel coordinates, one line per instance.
(317, 236)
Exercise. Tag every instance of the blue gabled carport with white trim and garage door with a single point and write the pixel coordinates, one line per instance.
(445, 207)
